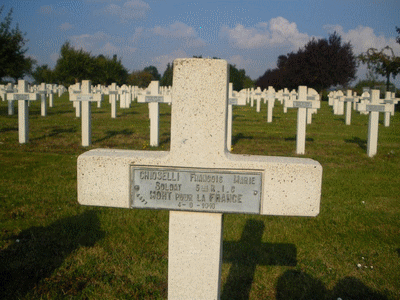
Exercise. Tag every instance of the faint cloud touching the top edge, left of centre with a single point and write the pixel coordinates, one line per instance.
(130, 10)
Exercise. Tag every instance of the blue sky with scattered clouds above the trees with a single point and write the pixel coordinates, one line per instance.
(250, 34)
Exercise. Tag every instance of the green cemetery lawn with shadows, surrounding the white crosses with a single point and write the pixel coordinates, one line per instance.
(53, 248)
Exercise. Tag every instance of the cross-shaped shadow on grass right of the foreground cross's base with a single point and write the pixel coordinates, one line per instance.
(249, 252)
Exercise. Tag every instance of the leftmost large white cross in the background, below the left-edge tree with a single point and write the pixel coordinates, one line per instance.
(23, 97)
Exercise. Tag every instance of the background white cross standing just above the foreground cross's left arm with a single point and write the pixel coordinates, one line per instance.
(85, 97)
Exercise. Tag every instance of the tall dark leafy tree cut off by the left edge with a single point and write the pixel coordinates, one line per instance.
(12, 42)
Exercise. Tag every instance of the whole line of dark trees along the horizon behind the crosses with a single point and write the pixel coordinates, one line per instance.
(320, 64)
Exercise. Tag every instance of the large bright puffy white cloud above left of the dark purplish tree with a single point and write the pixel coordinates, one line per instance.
(277, 32)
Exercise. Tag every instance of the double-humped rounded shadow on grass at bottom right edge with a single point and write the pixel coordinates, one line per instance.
(294, 284)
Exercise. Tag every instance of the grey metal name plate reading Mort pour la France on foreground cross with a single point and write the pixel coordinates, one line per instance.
(208, 190)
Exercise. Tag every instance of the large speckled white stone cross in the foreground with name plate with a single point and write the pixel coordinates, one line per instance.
(198, 180)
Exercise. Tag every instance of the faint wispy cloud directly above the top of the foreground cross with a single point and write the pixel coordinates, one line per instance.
(180, 31)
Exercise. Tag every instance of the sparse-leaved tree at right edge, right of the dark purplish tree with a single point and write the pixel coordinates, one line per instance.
(382, 62)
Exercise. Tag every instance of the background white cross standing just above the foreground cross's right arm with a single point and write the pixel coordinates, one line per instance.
(302, 103)
